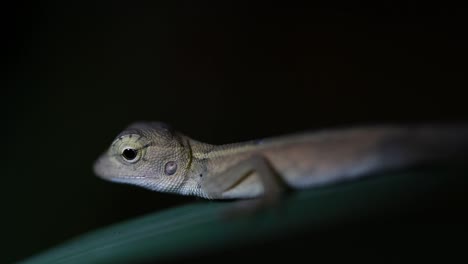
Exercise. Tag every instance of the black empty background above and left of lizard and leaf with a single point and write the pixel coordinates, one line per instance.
(76, 74)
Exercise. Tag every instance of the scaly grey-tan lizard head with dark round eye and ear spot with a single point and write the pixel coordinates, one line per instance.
(150, 155)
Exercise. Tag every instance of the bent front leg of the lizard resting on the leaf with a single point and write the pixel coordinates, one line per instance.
(273, 184)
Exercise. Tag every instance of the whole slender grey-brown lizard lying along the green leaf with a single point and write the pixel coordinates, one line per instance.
(155, 156)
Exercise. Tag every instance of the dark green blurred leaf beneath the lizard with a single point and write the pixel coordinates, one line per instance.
(200, 228)
